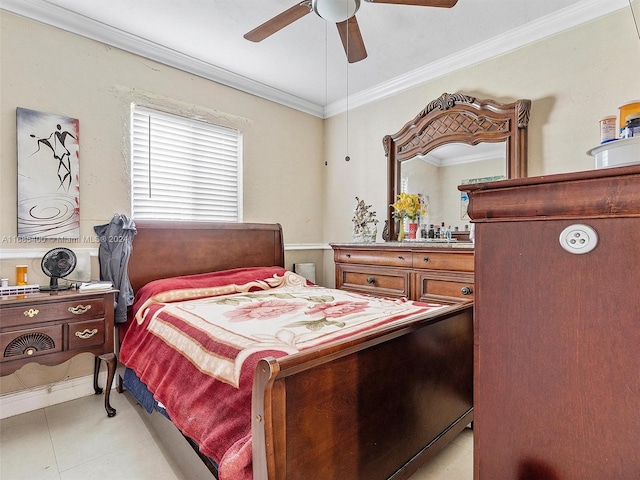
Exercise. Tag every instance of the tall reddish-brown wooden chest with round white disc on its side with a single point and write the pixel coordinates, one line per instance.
(557, 327)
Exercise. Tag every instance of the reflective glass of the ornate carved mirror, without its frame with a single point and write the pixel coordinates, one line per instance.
(436, 177)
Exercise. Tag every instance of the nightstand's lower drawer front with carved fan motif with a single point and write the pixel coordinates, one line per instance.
(31, 343)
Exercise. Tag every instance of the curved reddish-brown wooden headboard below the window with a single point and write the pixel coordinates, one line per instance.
(169, 249)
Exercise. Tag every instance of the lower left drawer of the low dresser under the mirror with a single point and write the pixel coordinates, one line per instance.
(380, 282)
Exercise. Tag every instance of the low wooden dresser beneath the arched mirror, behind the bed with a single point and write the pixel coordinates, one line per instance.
(437, 272)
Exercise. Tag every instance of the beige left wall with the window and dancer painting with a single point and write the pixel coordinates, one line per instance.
(47, 69)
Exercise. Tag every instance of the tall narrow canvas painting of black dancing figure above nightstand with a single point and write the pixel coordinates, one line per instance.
(48, 175)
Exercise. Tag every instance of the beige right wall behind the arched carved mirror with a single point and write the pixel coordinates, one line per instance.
(573, 79)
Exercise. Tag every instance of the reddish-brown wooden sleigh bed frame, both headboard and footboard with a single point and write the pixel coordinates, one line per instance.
(375, 407)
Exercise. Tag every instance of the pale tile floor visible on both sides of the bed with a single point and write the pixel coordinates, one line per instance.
(76, 441)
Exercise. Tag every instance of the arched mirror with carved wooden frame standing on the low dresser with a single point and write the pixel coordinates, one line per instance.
(455, 137)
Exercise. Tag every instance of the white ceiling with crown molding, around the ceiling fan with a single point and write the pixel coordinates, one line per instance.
(304, 65)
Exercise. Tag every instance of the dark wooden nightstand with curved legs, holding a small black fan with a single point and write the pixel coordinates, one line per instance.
(52, 327)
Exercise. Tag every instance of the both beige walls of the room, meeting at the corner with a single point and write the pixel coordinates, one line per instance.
(573, 79)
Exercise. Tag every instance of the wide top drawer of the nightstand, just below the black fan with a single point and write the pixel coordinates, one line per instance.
(31, 313)
